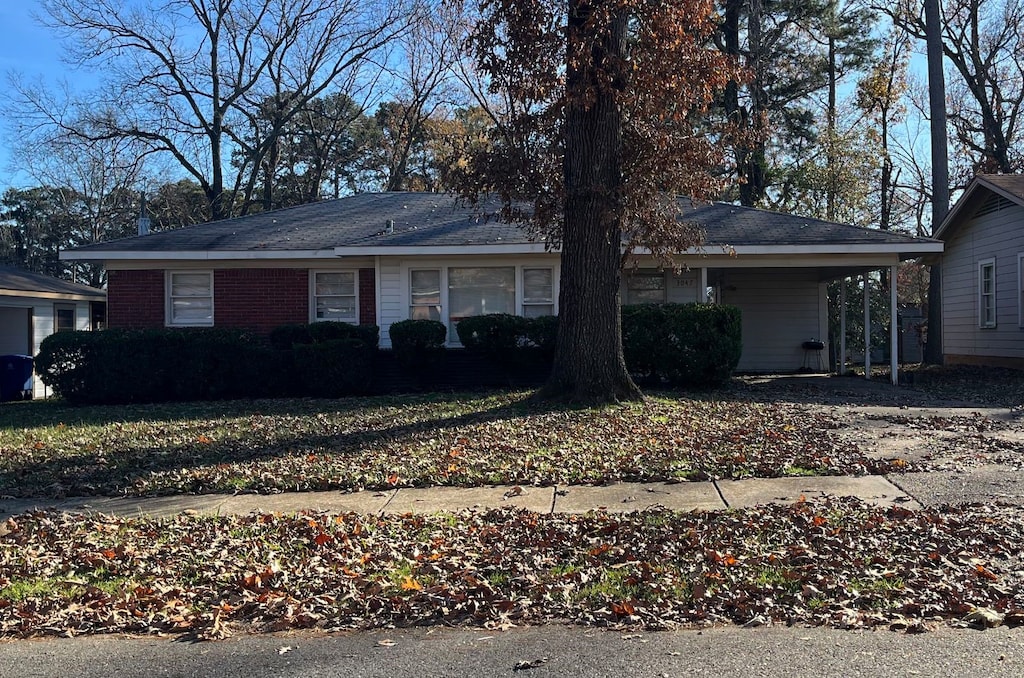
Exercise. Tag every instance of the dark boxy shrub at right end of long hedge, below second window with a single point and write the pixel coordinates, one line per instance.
(335, 368)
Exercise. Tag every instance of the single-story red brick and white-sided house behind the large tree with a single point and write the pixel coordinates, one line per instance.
(380, 259)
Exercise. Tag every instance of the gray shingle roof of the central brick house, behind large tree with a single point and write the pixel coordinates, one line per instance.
(435, 220)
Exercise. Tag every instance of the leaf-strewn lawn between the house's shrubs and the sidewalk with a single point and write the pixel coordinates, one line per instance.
(50, 450)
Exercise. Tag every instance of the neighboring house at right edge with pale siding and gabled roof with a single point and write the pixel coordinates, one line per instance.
(984, 274)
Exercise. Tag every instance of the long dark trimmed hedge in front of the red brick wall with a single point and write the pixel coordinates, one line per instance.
(203, 364)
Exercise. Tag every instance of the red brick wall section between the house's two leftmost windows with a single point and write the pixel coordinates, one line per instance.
(261, 299)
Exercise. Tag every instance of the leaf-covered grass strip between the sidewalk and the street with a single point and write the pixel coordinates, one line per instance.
(838, 563)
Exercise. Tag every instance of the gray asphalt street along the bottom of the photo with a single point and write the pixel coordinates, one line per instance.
(532, 653)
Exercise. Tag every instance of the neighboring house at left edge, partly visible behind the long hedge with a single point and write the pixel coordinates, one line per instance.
(34, 307)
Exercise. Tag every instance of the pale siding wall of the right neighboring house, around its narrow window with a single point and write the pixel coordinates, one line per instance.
(998, 236)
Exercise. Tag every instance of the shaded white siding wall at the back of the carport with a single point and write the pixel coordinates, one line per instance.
(782, 310)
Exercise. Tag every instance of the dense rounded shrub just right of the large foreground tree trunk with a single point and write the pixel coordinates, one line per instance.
(684, 345)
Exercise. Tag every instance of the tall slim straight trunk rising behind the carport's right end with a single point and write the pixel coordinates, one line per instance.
(941, 173)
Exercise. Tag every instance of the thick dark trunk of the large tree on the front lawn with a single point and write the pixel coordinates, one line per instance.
(589, 365)
